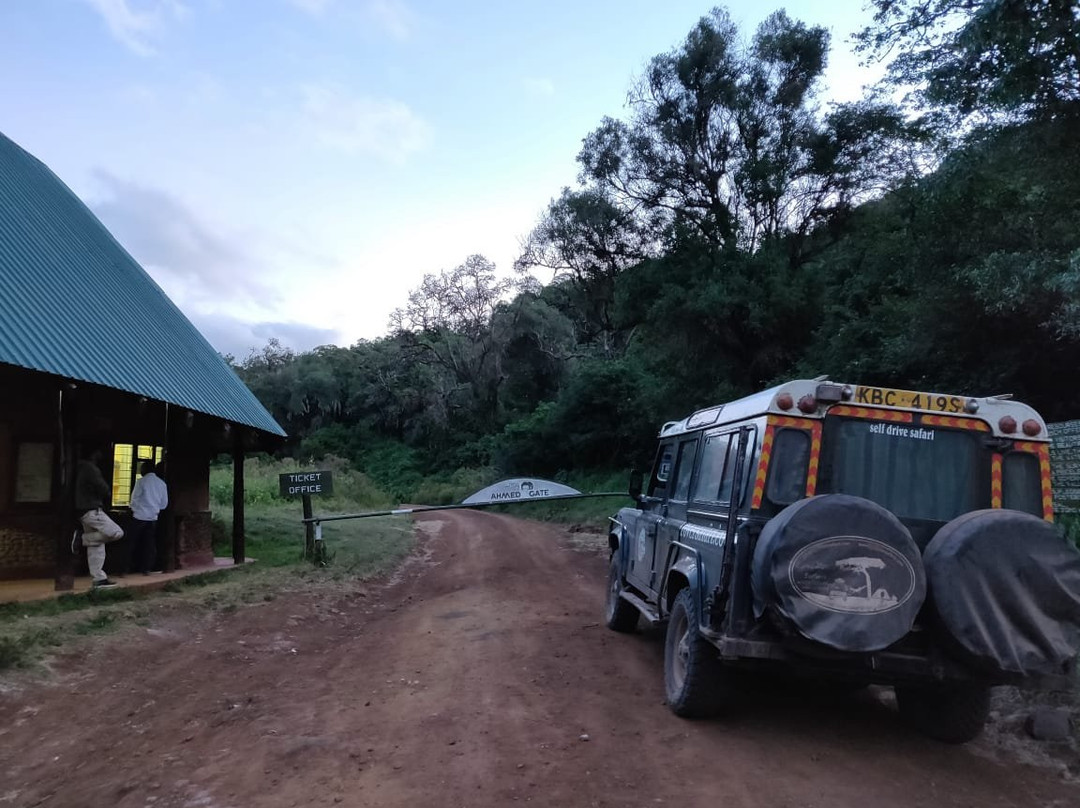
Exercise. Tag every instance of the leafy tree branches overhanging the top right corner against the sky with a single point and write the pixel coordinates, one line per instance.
(1011, 59)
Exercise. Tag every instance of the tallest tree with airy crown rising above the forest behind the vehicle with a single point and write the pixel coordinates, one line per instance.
(726, 141)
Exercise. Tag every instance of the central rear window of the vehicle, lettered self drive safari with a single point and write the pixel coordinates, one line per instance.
(917, 473)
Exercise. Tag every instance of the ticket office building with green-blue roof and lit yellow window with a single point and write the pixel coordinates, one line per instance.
(94, 355)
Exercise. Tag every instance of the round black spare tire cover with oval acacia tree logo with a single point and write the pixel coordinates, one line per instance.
(843, 571)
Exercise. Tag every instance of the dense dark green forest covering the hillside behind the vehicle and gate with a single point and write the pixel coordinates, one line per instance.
(734, 231)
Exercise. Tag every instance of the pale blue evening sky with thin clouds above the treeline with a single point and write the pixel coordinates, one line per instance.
(292, 169)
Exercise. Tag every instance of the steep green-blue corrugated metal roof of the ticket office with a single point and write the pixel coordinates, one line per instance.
(75, 304)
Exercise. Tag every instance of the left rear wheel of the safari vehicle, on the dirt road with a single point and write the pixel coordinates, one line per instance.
(695, 680)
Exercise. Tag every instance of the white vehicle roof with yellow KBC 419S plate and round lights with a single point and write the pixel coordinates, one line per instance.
(820, 396)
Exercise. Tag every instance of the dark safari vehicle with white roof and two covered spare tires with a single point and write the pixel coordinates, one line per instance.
(856, 534)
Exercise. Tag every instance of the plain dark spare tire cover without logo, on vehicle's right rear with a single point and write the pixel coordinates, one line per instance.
(1006, 589)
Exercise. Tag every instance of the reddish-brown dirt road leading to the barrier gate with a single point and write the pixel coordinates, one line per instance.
(471, 679)
